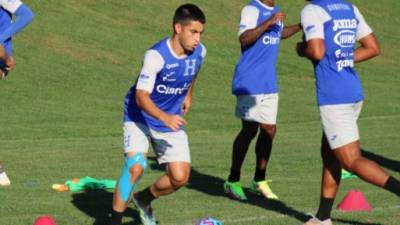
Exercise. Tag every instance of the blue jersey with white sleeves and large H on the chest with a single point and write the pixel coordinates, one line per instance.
(167, 77)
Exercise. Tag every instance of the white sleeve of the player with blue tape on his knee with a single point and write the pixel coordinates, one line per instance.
(152, 64)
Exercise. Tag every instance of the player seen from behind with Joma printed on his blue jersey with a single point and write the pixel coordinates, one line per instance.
(332, 28)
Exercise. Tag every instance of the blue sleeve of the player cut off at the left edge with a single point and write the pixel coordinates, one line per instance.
(24, 16)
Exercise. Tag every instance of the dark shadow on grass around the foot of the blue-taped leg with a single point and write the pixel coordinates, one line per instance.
(97, 204)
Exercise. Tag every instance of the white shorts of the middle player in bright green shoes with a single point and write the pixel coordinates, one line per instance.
(261, 108)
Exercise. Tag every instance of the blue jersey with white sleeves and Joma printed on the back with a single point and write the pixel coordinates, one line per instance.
(341, 25)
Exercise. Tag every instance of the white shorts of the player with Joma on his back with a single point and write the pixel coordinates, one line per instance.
(340, 123)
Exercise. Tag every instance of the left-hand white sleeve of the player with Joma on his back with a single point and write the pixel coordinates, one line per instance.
(313, 18)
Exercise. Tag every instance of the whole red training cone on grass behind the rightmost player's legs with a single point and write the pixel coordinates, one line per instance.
(354, 201)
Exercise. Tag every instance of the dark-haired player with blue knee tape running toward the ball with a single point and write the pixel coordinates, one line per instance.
(154, 110)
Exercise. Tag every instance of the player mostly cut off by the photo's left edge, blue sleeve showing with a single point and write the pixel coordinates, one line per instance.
(8, 28)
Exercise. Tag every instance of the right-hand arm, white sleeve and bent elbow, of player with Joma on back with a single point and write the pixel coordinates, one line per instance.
(369, 46)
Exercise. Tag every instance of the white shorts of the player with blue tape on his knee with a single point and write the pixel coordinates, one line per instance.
(168, 146)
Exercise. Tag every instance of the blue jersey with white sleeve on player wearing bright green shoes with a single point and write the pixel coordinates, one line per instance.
(255, 73)
